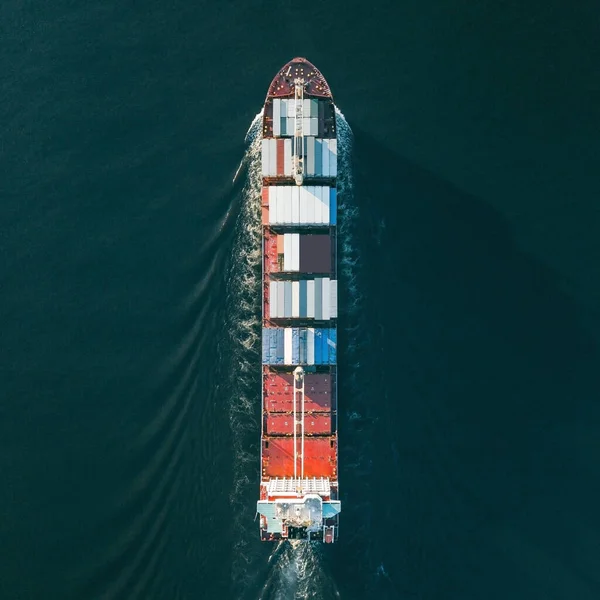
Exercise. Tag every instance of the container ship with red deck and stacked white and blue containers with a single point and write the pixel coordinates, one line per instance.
(299, 492)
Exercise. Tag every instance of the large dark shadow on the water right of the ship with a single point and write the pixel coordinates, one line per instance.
(459, 460)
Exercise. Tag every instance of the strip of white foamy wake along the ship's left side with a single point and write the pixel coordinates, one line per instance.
(240, 356)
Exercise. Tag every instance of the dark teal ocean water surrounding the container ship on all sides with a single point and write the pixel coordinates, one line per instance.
(470, 299)
